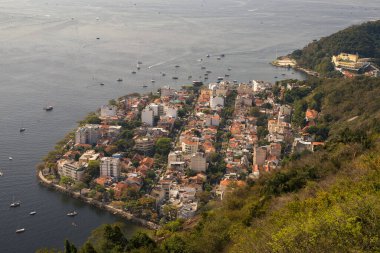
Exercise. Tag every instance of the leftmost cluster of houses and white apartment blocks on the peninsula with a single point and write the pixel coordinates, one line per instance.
(117, 171)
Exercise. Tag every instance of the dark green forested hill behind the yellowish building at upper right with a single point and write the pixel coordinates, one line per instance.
(363, 39)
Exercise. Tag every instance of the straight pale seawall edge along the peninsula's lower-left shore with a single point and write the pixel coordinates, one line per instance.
(115, 211)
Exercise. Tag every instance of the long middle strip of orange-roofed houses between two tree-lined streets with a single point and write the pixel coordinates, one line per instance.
(187, 163)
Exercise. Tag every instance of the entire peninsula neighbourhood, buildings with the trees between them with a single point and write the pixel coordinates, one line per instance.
(163, 156)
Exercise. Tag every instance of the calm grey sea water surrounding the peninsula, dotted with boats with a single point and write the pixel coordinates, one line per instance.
(50, 54)
